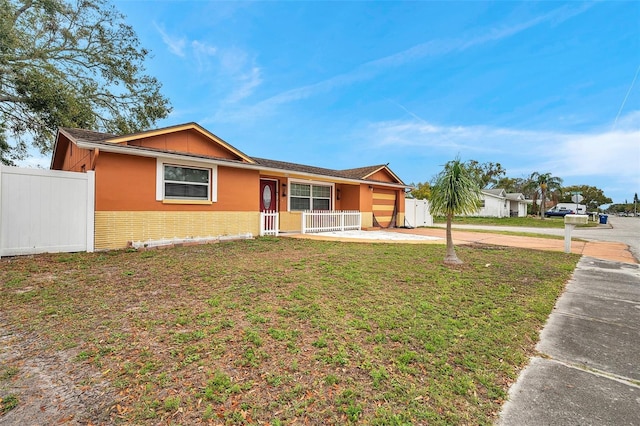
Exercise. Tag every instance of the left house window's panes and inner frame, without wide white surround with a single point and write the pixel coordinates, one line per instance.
(186, 183)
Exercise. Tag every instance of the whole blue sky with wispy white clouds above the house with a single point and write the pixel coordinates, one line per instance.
(536, 86)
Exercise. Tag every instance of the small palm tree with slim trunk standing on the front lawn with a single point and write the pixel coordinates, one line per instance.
(454, 191)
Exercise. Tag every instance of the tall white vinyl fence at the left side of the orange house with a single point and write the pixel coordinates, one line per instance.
(45, 211)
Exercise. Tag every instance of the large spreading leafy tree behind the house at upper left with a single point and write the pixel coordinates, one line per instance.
(72, 64)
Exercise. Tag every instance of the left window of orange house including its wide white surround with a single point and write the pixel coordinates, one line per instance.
(186, 182)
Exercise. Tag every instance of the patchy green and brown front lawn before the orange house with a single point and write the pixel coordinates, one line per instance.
(284, 331)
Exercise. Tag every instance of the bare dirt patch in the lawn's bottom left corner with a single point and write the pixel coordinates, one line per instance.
(50, 386)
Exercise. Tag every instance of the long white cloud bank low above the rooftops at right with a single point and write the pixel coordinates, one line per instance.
(597, 153)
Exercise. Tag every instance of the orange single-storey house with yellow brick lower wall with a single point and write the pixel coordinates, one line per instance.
(185, 182)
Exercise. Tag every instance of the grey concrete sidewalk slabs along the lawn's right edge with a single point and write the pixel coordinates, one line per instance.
(588, 372)
